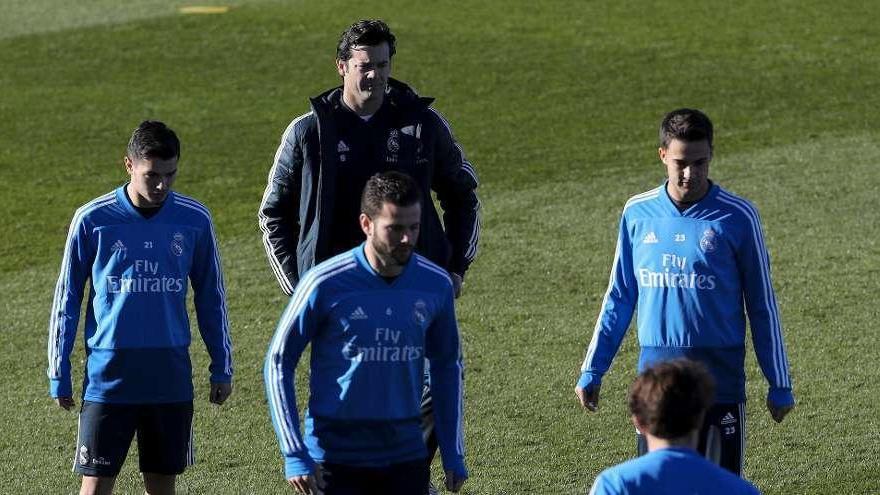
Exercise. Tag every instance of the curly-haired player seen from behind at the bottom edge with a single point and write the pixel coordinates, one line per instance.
(668, 402)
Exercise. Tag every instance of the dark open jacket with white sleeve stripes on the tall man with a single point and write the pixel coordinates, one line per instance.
(297, 208)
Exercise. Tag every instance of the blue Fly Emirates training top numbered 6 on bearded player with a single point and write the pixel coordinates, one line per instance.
(369, 341)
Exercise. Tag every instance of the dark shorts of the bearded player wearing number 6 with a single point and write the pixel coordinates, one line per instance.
(406, 478)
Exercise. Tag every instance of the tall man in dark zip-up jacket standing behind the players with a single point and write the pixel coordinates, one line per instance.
(370, 124)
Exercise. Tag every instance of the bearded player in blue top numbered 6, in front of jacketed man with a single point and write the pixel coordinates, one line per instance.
(372, 315)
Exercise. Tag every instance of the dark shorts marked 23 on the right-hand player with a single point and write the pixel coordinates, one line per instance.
(722, 437)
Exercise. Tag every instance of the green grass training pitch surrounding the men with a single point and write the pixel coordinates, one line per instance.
(556, 104)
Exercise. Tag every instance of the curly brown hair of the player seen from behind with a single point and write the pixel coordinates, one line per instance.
(670, 399)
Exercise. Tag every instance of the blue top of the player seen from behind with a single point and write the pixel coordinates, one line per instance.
(670, 471)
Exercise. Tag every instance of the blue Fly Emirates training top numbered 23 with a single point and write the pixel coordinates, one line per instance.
(690, 274)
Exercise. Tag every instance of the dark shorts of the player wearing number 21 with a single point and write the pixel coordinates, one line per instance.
(164, 433)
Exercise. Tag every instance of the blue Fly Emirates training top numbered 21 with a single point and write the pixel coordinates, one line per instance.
(136, 330)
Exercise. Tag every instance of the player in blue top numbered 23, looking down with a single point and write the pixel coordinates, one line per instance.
(690, 256)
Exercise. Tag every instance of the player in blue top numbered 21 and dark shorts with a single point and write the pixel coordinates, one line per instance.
(137, 246)
